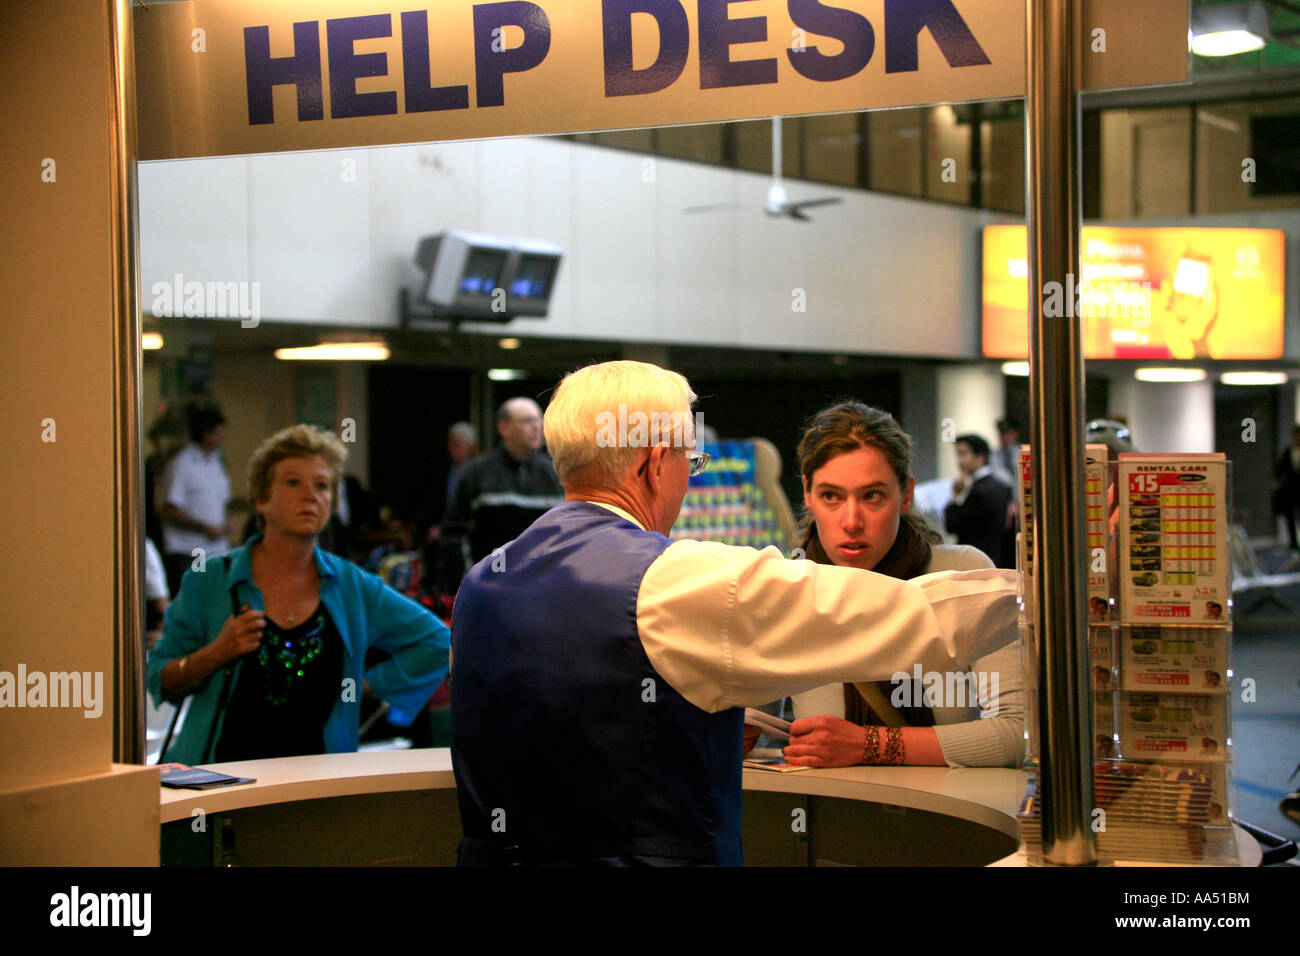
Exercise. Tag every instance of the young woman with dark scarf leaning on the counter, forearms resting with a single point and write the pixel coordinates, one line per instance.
(856, 465)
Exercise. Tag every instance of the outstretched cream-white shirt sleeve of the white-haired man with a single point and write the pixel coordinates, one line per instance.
(738, 628)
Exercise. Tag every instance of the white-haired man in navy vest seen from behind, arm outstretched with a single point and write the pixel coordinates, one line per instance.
(634, 656)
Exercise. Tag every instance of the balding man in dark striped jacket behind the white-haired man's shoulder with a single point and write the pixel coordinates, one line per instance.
(499, 495)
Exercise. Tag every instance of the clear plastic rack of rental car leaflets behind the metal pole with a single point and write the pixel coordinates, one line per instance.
(1160, 671)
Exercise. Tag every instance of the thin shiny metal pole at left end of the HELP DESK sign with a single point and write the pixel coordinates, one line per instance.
(129, 525)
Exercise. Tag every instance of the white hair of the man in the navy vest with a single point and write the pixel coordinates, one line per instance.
(592, 422)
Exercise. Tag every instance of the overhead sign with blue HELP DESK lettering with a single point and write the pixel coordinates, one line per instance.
(219, 77)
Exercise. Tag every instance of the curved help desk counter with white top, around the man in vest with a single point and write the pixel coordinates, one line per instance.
(398, 807)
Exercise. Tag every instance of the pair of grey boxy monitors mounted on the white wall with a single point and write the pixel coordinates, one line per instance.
(475, 276)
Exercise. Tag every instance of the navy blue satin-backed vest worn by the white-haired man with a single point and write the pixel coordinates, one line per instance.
(567, 746)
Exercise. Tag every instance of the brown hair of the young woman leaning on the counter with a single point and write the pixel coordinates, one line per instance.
(846, 427)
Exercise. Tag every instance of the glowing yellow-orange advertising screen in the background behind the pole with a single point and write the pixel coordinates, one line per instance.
(1147, 293)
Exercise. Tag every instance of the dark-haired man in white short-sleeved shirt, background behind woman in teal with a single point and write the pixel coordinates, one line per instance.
(196, 495)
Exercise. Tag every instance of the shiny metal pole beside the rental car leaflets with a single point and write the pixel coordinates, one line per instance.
(1056, 431)
